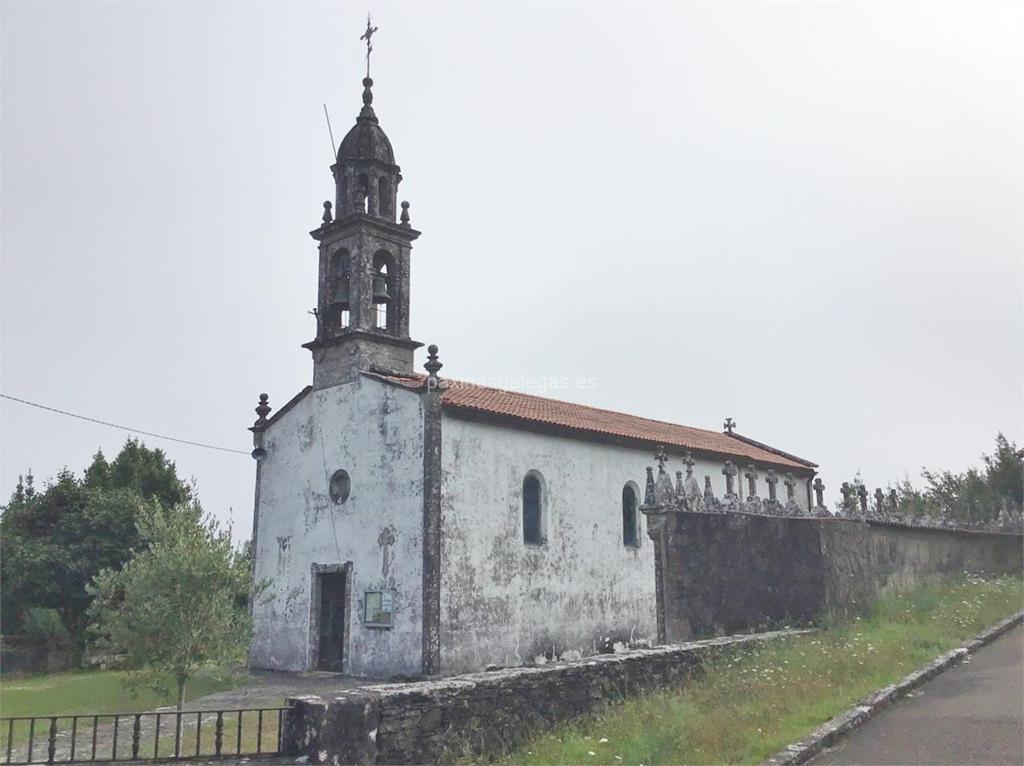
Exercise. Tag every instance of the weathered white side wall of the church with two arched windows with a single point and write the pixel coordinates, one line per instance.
(506, 603)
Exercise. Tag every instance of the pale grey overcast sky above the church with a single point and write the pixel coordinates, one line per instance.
(806, 218)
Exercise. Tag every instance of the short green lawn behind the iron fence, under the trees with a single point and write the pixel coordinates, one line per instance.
(90, 692)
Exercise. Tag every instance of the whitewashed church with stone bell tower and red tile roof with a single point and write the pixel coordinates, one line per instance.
(412, 525)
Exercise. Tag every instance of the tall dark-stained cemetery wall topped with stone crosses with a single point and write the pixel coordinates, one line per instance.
(727, 573)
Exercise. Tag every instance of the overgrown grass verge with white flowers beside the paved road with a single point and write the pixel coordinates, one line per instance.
(749, 706)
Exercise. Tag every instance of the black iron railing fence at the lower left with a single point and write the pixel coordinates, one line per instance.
(144, 737)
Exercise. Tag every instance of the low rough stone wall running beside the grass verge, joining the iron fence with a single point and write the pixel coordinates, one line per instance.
(484, 713)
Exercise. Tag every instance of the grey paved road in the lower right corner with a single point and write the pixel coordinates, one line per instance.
(973, 714)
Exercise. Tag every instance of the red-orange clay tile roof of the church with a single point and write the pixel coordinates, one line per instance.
(471, 399)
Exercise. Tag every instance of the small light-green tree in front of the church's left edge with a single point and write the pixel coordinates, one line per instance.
(180, 606)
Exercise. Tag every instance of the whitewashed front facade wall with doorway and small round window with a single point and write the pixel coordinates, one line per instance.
(375, 433)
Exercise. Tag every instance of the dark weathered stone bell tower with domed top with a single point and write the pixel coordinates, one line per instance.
(363, 297)
